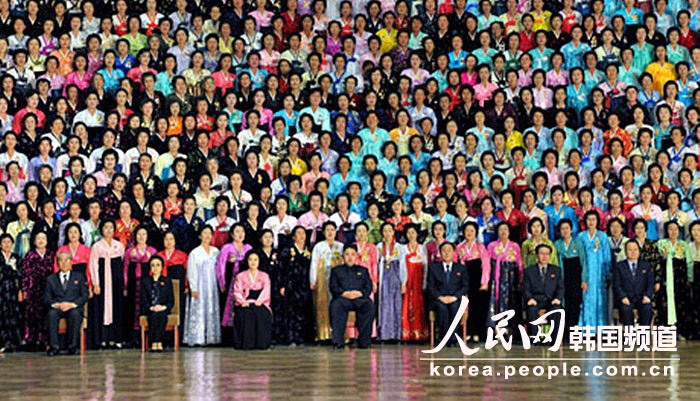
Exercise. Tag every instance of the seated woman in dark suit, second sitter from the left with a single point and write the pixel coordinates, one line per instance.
(157, 300)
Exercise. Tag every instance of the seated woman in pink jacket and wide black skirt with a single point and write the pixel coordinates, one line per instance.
(252, 314)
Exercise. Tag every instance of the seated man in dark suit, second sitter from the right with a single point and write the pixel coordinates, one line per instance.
(543, 286)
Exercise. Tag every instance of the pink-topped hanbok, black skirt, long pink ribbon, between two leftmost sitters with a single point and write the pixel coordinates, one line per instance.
(106, 271)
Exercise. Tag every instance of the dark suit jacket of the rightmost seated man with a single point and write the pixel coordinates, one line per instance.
(633, 288)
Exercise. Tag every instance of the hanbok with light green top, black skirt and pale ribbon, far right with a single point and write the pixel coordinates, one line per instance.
(673, 297)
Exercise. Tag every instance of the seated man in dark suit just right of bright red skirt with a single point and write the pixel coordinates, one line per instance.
(448, 281)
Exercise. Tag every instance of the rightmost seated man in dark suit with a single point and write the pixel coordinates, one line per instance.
(634, 286)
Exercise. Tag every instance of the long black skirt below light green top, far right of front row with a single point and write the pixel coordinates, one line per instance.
(681, 296)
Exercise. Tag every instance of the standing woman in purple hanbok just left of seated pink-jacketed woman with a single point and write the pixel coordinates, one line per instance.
(227, 268)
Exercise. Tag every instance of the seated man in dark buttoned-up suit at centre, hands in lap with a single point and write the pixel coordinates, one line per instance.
(350, 287)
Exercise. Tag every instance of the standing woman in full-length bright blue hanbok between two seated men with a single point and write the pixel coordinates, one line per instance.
(596, 263)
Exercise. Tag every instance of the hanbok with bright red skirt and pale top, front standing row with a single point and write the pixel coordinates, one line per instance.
(413, 323)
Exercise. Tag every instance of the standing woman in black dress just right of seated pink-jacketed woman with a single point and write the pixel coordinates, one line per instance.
(296, 313)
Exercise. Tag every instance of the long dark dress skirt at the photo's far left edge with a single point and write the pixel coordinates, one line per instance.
(10, 312)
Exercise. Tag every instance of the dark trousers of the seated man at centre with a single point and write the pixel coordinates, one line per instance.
(364, 314)
